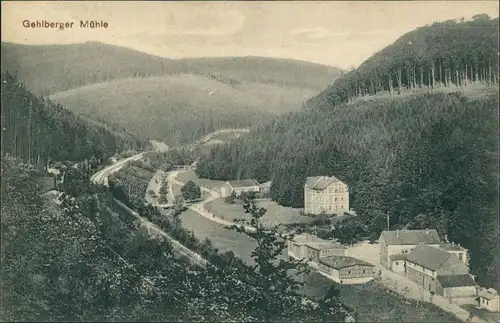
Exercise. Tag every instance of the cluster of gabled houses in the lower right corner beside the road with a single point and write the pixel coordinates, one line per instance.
(439, 267)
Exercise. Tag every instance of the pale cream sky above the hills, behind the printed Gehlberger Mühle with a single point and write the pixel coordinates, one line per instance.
(335, 33)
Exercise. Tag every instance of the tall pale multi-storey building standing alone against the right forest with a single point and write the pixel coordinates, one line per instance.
(324, 194)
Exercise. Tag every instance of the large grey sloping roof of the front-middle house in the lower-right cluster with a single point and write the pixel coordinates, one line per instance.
(436, 259)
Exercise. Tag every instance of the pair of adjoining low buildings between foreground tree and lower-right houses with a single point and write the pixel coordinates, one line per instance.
(329, 257)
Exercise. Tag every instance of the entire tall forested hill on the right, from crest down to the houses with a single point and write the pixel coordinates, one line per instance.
(426, 158)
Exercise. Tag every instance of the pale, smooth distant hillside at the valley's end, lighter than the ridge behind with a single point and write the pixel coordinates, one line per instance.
(184, 107)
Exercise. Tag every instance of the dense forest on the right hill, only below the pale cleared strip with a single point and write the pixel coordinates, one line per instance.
(429, 160)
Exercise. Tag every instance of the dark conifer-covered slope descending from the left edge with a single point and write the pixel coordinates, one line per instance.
(36, 130)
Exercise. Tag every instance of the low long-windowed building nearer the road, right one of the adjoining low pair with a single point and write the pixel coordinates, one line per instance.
(346, 270)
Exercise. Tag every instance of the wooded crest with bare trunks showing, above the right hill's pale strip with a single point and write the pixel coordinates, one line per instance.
(450, 53)
